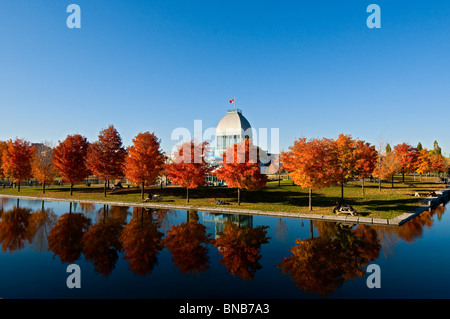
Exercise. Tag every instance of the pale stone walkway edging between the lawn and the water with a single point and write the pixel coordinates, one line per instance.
(430, 203)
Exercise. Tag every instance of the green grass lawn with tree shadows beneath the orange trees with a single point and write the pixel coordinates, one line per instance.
(387, 203)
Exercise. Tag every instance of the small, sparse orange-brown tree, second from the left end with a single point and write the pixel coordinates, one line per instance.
(42, 166)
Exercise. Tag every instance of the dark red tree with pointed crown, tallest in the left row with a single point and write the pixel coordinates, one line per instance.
(106, 157)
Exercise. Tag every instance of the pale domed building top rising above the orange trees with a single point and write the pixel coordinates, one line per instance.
(232, 128)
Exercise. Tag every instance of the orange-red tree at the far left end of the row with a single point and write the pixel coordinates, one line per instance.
(17, 160)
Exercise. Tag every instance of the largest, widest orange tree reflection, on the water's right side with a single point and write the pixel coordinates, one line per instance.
(321, 265)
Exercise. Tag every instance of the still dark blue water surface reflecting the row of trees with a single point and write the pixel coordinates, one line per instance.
(129, 252)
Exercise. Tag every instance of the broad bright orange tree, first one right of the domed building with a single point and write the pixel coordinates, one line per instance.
(311, 164)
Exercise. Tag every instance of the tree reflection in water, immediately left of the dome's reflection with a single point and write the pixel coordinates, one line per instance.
(187, 242)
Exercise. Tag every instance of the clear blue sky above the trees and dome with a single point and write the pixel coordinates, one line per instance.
(310, 68)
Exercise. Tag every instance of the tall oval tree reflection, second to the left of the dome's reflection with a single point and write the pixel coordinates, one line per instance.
(141, 241)
